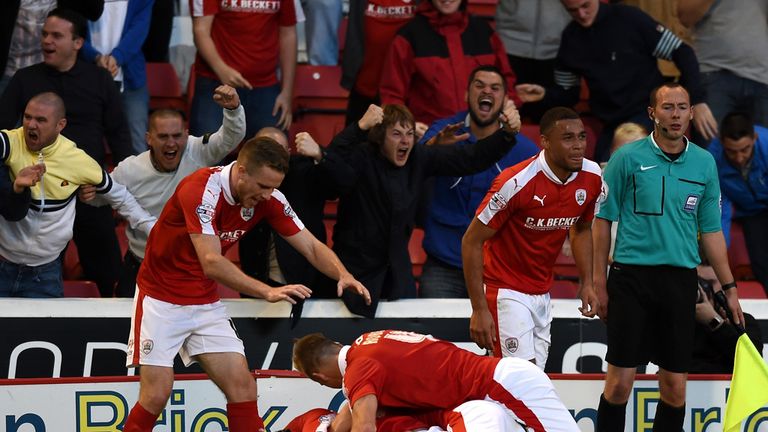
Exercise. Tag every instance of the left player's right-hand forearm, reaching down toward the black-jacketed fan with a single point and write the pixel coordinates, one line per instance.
(325, 260)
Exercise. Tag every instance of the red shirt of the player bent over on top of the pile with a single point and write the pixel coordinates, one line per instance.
(411, 370)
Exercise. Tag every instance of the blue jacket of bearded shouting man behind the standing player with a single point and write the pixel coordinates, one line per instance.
(455, 199)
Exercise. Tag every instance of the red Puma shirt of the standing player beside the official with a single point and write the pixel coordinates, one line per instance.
(532, 211)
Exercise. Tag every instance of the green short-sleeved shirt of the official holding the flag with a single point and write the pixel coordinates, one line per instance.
(661, 205)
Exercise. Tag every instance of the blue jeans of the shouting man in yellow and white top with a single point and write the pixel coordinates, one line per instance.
(43, 281)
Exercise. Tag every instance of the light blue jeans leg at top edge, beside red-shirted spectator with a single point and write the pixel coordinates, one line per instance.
(322, 29)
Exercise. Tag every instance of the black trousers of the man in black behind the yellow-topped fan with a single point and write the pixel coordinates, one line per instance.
(97, 246)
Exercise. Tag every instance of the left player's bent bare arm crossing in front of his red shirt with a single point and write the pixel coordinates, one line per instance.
(223, 271)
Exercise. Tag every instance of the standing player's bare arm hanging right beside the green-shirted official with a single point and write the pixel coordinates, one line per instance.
(581, 244)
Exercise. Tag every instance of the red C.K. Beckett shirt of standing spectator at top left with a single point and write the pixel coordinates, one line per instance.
(246, 35)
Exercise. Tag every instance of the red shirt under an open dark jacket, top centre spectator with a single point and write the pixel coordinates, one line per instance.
(382, 19)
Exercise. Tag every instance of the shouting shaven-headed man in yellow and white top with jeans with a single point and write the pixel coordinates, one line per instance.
(30, 249)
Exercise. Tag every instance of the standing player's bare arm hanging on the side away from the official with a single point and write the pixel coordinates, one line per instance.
(481, 325)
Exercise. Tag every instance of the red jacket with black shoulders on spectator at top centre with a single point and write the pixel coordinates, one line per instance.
(430, 59)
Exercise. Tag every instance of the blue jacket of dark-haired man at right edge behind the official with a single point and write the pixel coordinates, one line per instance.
(748, 197)
